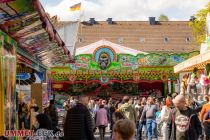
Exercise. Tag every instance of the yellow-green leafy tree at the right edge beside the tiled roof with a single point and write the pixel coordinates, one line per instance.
(199, 24)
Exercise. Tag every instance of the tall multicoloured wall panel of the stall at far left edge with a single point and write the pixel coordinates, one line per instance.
(8, 97)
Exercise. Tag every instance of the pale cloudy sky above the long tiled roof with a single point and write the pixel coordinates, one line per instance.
(124, 10)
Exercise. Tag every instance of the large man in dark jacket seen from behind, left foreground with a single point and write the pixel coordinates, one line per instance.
(79, 124)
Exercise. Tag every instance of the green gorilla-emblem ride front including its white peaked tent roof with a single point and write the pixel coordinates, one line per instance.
(107, 69)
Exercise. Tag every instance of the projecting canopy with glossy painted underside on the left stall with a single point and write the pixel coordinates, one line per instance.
(27, 22)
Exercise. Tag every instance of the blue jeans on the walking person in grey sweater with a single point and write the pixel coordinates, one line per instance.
(151, 128)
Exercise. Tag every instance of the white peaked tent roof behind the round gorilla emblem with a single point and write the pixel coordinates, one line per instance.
(119, 49)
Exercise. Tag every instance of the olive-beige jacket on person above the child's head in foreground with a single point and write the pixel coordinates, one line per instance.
(128, 111)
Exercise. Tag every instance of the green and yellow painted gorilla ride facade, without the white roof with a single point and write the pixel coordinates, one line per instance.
(105, 67)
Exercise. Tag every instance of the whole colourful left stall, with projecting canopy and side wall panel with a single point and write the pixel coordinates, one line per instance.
(29, 45)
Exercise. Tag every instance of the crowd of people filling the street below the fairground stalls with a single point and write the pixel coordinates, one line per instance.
(176, 117)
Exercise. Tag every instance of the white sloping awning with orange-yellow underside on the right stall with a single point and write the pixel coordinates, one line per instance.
(199, 61)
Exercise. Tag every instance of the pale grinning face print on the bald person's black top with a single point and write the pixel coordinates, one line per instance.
(182, 123)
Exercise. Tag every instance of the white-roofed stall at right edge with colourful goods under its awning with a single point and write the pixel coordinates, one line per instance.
(198, 66)
